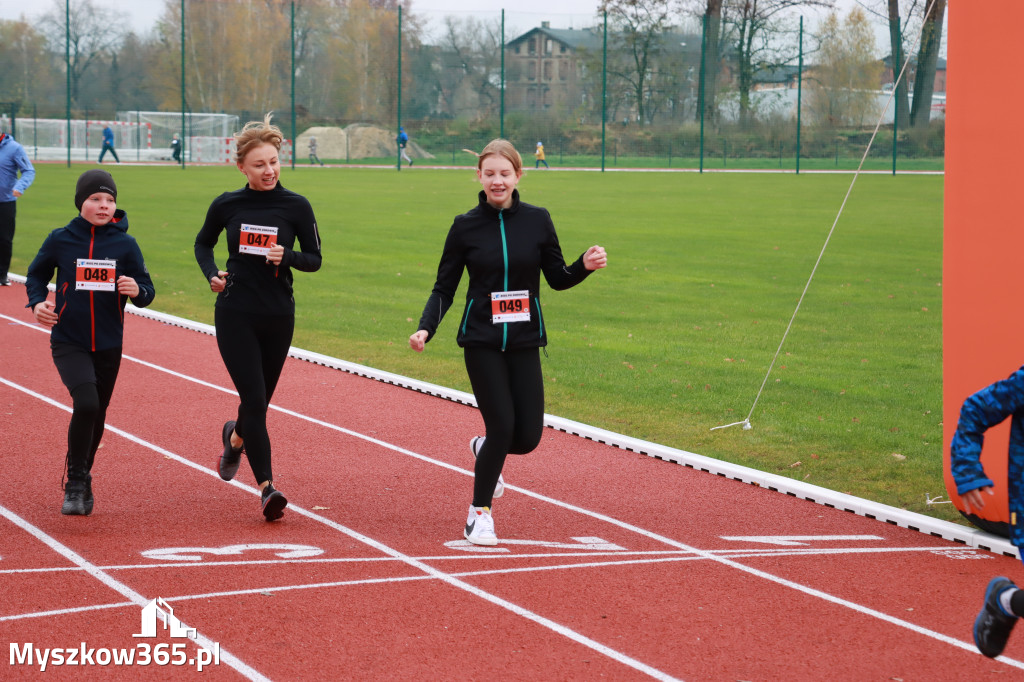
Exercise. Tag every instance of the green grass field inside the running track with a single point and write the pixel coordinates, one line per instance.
(674, 338)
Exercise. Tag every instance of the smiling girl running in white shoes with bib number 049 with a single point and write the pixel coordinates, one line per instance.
(504, 245)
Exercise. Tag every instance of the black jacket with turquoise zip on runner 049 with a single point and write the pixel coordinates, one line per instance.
(502, 250)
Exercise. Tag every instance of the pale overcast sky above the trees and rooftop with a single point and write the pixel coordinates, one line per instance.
(142, 16)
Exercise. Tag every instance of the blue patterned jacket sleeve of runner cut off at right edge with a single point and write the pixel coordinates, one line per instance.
(980, 412)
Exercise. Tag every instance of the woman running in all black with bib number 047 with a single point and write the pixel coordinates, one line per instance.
(255, 310)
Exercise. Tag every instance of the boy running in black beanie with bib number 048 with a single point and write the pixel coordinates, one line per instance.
(99, 267)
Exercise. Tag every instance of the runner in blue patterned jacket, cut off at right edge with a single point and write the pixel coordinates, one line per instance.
(1004, 603)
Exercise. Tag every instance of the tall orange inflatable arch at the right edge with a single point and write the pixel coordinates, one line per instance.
(984, 231)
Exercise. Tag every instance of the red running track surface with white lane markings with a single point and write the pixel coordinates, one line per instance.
(612, 565)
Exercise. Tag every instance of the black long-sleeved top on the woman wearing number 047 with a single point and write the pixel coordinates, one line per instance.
(254, 285)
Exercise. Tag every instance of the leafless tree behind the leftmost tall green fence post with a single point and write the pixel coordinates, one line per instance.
(90, 33)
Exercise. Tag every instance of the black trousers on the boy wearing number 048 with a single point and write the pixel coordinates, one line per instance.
(90, 377)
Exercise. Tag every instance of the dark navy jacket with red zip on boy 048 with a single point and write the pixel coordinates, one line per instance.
(94, 320)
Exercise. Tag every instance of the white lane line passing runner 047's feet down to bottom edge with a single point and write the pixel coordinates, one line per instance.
(386, 549)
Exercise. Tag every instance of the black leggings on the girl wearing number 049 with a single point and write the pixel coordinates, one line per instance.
(509, 392)
